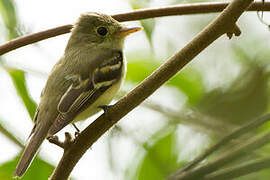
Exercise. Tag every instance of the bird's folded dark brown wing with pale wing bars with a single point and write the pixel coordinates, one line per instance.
(84, 92)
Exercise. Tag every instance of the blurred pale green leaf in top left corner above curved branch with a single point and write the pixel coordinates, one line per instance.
(8, 13)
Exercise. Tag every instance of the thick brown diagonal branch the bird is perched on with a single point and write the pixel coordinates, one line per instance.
(223, 24)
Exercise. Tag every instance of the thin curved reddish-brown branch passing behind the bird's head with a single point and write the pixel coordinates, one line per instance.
(196, 8)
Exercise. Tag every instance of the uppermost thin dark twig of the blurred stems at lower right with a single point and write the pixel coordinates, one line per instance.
(235, 134)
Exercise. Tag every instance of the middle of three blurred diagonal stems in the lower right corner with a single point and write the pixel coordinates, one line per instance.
(227, 158)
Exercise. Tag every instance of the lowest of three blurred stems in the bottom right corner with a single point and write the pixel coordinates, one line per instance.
(240, 170)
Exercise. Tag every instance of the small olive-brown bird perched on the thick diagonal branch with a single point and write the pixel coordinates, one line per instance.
(84, 80)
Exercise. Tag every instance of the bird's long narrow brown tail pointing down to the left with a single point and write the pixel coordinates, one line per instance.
(31, 149)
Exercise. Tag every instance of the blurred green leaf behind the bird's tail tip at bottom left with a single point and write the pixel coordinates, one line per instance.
(39, 169)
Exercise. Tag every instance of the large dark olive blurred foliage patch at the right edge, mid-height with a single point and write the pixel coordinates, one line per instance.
(246, 97)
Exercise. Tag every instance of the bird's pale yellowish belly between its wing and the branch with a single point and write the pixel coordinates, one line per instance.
(104, 99)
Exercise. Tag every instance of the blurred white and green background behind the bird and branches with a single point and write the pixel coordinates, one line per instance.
(221, 89)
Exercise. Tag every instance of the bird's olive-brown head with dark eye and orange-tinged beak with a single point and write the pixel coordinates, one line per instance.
(99, 30)
